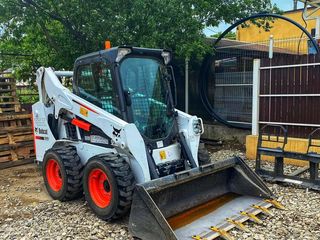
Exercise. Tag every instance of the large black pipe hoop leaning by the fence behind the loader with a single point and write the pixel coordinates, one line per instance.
(205, 68)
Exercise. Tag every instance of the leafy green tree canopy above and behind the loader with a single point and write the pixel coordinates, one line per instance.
(57, 32)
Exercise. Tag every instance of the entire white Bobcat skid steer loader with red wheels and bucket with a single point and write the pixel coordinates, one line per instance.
(117, 138)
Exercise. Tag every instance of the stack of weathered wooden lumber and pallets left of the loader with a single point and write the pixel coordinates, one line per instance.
(16, 139)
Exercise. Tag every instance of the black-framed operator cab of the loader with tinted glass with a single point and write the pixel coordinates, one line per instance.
(133, 84)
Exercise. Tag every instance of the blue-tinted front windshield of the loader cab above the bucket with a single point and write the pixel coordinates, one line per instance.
(144, 79)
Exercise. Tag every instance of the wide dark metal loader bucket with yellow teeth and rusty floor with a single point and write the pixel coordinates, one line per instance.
(201, 203)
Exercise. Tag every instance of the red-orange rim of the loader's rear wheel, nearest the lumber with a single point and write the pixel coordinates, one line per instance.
(53, 173)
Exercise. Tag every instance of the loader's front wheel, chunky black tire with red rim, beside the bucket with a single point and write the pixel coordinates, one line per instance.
(120, 184)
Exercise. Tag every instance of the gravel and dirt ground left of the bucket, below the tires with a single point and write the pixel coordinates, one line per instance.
(27, 211)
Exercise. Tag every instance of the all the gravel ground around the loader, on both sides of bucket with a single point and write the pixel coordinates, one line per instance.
(26, 212)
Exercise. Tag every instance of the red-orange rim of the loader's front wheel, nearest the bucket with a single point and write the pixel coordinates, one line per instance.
(99, 188)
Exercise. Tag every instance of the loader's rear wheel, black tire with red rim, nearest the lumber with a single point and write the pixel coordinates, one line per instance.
(70, 173)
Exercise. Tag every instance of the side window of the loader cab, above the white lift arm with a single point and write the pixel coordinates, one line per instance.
(95, 84)
